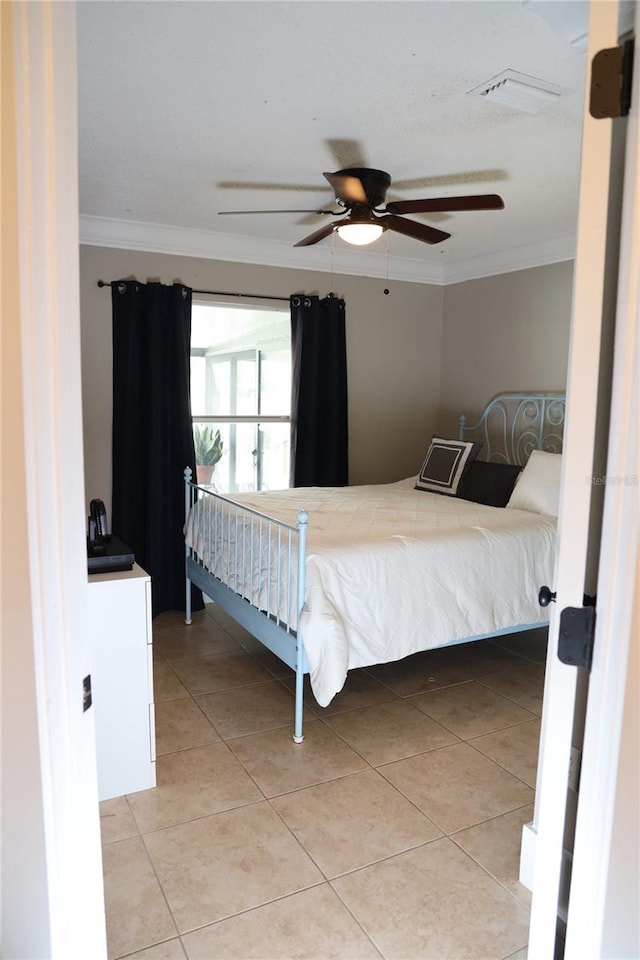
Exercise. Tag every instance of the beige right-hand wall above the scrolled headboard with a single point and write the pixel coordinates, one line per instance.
(508, 332)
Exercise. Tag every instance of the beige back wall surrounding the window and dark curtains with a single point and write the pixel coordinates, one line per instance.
(393, 350)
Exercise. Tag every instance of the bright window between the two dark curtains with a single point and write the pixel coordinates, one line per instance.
(241, 395)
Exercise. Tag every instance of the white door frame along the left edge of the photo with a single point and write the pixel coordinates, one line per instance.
(40, 137)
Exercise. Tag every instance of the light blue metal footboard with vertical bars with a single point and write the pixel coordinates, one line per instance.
(253, 566)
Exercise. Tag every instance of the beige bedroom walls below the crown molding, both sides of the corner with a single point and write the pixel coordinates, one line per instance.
(417, 358)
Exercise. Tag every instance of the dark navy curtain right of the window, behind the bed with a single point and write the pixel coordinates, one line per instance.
(319, 429)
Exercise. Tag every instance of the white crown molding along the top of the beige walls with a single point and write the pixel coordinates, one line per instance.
(187, 242)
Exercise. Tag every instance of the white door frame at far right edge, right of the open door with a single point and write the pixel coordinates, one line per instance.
(605, 895)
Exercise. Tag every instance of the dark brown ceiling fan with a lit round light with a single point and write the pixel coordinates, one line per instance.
(361, 192)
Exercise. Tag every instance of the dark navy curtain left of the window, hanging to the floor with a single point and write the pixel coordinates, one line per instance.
(152, 432)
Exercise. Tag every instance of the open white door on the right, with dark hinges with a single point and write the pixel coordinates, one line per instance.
(583, 484)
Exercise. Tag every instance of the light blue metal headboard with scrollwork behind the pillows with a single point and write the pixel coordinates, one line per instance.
(514, 424)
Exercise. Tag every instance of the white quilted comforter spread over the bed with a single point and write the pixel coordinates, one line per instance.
(392, 570)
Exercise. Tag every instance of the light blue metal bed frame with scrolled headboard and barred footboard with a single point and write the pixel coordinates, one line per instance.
(510, 427)
